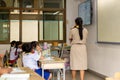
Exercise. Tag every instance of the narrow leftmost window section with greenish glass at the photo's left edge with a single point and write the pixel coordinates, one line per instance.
(4, 25)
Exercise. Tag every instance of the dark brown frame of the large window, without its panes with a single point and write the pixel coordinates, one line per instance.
(37, 9)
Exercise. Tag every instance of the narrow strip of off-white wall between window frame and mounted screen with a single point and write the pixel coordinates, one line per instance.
(71, 13)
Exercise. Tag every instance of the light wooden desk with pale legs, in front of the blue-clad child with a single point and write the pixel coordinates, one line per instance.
(56, 63)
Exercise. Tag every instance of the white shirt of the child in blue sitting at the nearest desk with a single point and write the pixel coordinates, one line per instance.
(30, 60)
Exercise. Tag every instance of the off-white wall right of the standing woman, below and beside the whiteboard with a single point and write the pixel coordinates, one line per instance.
(102, 58)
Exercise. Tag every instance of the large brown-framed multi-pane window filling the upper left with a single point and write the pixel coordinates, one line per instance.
(28, 20)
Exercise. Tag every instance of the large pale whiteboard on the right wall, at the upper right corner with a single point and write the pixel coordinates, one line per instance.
(108, 16)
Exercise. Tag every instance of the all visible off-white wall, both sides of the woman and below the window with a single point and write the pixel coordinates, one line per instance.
(102, 58)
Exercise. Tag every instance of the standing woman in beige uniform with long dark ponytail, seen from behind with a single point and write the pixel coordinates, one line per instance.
(78, 53)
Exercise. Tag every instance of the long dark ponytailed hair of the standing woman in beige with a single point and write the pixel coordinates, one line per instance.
(79, 22)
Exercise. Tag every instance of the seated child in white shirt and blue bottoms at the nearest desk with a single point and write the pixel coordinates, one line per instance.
(30, 60)
